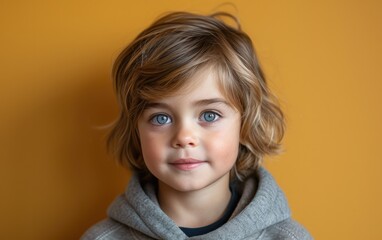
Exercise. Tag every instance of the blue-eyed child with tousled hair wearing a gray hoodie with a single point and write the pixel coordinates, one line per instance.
(196, 120)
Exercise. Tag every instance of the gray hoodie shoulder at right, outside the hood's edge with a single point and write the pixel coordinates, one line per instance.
(287, 229)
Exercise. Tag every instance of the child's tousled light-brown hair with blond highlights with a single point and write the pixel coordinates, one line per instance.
(164, 59)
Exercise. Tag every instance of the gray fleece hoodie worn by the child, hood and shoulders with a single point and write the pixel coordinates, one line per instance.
(262, 213)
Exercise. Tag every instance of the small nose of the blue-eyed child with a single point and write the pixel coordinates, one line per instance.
(185, 136)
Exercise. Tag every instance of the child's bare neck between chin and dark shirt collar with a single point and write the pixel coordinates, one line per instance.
(196, 208)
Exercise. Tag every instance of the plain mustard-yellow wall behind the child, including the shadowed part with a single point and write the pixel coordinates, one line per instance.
(323, 59)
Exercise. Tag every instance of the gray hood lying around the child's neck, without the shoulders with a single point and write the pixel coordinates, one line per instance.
(261, 205)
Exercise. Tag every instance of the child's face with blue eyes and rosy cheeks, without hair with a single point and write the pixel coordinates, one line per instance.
(191, 140)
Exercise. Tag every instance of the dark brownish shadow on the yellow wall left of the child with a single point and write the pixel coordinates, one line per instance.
(61, 179)
